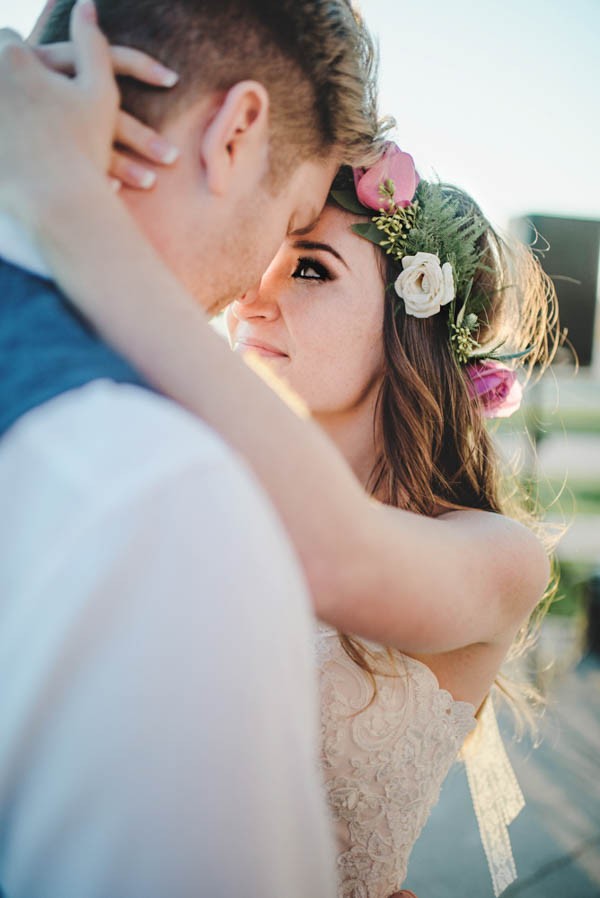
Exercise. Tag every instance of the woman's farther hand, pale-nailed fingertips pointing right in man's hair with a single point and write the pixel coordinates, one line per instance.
(130, 134)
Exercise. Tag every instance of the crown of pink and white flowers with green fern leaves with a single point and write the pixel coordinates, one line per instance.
(423, 228)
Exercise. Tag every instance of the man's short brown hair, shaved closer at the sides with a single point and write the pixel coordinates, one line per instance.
(315, 58)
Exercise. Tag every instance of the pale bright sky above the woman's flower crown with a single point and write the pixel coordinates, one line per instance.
(500, 98)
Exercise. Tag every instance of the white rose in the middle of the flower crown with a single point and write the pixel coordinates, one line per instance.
(425, 285)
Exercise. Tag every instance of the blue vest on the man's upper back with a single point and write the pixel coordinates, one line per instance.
(46, 347)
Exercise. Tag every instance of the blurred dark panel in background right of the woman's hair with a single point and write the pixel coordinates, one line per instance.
(568, 249)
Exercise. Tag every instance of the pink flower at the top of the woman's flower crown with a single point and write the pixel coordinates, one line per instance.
(395, 166)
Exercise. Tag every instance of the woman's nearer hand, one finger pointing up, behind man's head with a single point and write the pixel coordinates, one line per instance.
(54, 129)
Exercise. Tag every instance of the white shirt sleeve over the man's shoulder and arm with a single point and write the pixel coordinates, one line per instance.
(158, 695)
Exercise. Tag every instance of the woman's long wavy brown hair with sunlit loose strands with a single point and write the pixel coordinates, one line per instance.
(435, 450)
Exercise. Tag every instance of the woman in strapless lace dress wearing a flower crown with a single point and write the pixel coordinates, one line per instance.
(399, 321)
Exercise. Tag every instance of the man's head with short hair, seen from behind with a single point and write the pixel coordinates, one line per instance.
(273, 95)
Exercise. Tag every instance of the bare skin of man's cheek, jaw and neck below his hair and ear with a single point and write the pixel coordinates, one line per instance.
(219, 249)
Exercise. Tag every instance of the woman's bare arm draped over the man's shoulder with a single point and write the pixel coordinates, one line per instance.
(422, 585)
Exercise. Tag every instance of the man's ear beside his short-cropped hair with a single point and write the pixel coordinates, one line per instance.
(235, 143)
